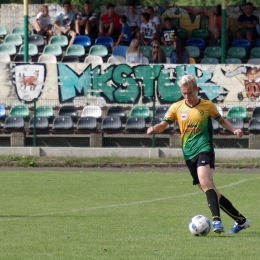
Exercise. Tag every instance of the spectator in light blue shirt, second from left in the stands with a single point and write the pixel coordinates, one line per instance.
(65, 21)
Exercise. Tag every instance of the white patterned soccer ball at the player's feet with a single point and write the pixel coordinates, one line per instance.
(199, 225)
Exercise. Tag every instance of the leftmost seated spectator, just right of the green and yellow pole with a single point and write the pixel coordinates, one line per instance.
(42, 24)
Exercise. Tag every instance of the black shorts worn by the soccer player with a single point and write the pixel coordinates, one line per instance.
(202, 159)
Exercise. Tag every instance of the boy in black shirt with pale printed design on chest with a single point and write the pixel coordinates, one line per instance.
(169, 33)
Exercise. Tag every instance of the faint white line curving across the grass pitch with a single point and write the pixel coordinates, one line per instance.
(122, 205)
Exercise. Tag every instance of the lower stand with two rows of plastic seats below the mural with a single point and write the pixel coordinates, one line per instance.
(116, 125)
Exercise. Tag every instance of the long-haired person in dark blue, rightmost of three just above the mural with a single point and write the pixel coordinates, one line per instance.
(180, 55)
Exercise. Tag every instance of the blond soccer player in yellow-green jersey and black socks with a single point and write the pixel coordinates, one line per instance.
(194, 118)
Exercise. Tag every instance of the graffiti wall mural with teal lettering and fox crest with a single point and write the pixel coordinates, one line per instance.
(127, 84)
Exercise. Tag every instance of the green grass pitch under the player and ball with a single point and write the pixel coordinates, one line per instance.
(81, 215)
